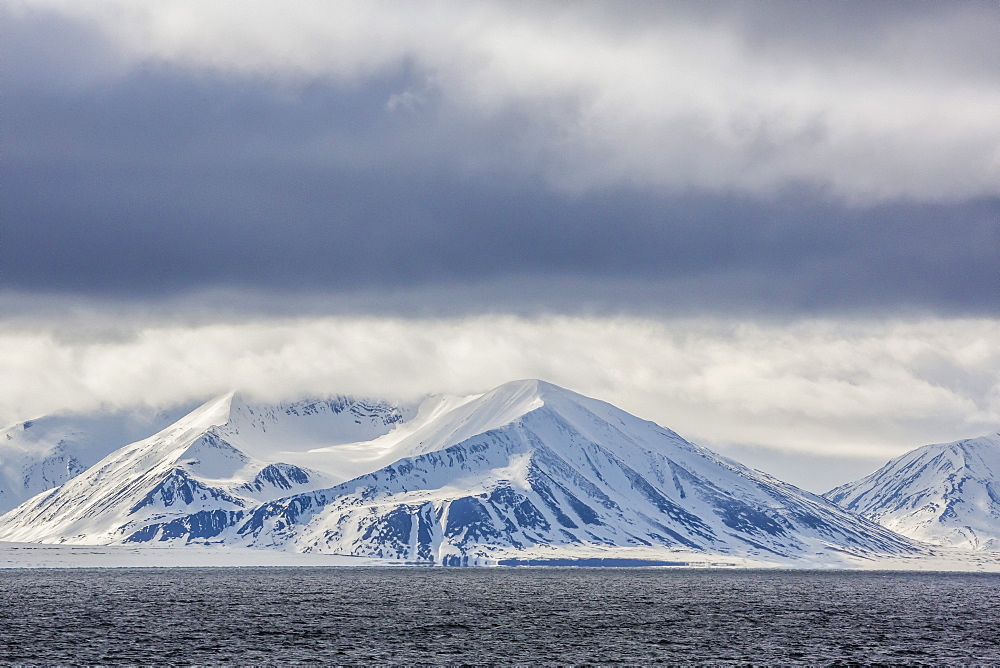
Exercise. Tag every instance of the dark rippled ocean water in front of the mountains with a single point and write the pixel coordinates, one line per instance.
(495, 616)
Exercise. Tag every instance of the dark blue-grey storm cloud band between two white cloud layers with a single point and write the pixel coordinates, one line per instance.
(162, 180)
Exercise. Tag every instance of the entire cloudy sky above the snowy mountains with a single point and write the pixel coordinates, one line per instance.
(773, 227)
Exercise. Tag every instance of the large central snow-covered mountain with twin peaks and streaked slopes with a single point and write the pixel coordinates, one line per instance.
(525, 469)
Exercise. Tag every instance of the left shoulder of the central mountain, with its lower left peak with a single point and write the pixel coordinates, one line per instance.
(196, 475)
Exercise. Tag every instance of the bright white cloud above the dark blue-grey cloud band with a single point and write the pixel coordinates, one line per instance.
(667, 102)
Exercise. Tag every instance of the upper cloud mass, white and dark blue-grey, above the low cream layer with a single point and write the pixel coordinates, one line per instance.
(824, 158)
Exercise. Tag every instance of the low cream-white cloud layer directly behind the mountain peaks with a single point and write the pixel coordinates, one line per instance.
(862, 388)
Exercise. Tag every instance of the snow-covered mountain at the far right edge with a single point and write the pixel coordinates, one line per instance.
(945, 494)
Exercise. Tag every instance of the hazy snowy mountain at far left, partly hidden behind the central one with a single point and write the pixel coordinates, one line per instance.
(39, 454)
